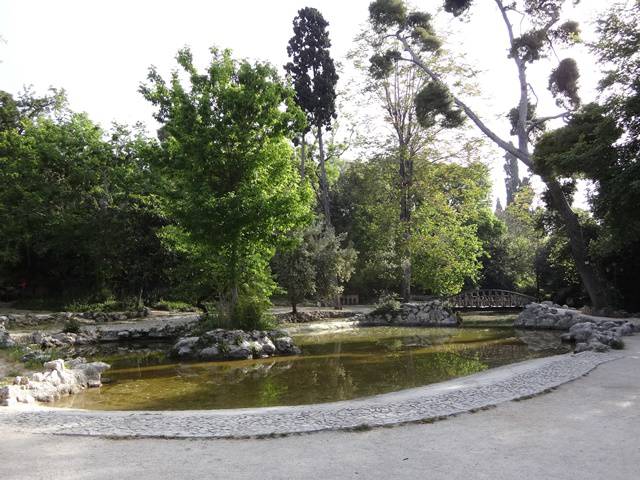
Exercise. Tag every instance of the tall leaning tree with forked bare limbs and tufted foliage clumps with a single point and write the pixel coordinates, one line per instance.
(541, 28)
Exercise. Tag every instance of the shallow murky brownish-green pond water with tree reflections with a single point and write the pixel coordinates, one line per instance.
(334, 366)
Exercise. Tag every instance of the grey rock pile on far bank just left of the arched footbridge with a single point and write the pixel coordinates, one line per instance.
(434, 313)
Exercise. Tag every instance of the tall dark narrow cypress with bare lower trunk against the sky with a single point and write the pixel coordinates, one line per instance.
(314, 77)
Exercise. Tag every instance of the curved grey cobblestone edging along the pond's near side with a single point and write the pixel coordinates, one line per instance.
(431, 402)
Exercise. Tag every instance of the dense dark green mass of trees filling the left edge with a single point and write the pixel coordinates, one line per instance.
(76, 210)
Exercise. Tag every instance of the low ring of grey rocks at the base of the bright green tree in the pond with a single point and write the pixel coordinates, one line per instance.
(223, 344)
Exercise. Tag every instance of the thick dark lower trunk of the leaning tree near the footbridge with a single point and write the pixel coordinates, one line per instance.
(592, 282)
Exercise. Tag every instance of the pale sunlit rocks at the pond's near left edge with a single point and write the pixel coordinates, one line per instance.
(58, 379)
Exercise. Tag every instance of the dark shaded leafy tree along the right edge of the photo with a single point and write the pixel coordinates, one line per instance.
(600, 143)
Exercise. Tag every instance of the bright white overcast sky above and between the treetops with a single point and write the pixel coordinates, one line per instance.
(99, 52)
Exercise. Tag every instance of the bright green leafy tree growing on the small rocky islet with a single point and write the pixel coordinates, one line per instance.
(228, 178)
